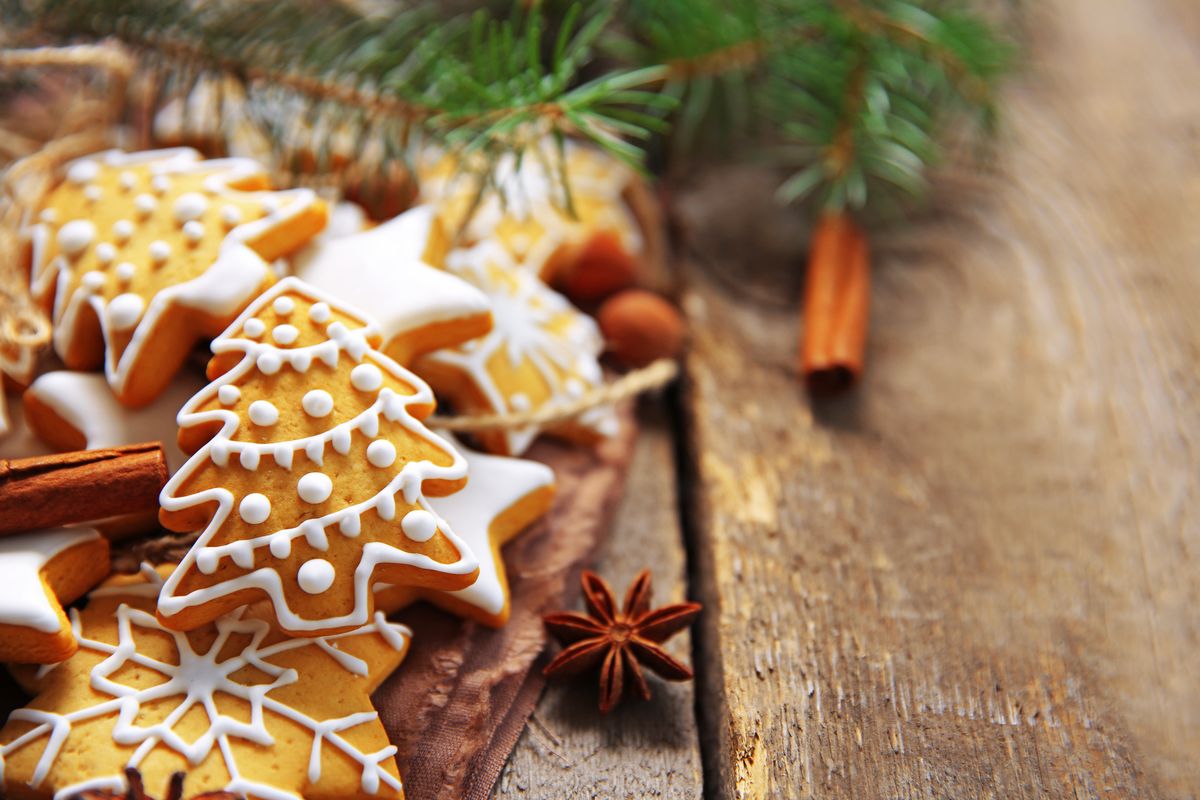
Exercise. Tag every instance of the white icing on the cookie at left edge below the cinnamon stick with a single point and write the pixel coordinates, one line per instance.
(26, 601)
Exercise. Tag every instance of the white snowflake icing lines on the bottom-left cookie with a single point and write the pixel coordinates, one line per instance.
(199, 679)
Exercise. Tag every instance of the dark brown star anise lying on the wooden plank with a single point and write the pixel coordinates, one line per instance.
(622, 642)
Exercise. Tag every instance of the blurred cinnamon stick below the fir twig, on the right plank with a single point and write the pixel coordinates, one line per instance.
(837, 305)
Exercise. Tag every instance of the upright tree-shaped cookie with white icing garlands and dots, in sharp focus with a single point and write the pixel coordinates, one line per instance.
(310, 473)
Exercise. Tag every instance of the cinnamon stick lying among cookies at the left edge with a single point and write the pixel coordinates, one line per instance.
(80, 486)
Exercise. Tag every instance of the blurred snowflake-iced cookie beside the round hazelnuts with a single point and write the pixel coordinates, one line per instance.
(539, 353)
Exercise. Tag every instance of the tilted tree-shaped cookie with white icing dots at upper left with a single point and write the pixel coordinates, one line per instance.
(141, 255)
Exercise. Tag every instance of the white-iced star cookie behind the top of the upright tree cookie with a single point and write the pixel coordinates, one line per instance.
(387, 273)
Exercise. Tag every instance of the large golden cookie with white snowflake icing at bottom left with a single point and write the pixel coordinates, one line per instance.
(236, 705)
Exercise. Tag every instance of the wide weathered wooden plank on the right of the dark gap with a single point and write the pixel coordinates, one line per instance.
(977, 578)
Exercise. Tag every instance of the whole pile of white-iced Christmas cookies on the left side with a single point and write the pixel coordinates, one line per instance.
(316, 498)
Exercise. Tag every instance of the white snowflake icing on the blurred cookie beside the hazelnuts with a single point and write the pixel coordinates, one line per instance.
(532, 324)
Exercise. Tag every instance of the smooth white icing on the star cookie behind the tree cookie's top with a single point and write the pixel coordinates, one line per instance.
(381, 272)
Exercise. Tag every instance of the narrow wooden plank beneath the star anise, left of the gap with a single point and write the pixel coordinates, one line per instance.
(640, 750)
